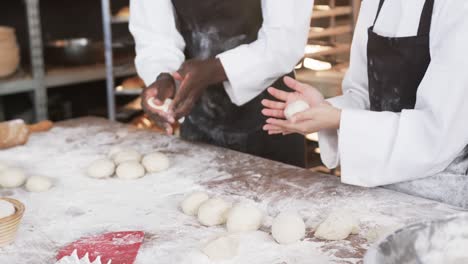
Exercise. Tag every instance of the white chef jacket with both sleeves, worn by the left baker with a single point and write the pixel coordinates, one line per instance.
(250, 68)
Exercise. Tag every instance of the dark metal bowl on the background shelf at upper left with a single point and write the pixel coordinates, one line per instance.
(74, 52)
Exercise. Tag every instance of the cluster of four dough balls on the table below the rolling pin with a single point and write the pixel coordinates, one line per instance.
(127, 164)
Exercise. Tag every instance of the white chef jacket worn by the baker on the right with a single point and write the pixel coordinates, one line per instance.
(379, 148)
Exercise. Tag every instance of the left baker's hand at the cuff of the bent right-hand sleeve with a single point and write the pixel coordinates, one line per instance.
(195, 76)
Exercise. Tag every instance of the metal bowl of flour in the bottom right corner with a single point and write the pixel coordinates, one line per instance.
(440, 241)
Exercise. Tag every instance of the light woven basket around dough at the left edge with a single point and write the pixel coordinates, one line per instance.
(9, 225)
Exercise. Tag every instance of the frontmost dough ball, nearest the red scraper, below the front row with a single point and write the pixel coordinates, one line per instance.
(222, 248)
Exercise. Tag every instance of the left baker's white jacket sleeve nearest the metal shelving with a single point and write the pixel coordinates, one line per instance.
(159, 45)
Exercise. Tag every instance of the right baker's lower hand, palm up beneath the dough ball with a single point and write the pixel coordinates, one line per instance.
(320, 117)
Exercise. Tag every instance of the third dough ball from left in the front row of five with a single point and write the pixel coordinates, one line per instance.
(244, 217)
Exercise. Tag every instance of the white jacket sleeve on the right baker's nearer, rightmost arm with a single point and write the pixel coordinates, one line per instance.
(379, 148)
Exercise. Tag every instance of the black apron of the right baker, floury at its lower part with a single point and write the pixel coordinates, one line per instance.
(396, 67)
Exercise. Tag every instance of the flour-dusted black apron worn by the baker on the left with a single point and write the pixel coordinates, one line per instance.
(210, 27)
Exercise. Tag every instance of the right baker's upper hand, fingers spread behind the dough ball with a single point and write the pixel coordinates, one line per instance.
(301, 92)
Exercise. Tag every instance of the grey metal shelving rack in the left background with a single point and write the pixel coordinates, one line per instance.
(37, 80)
